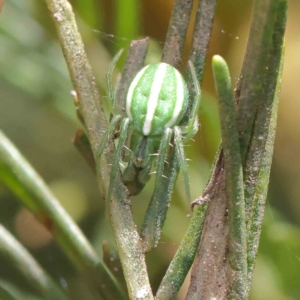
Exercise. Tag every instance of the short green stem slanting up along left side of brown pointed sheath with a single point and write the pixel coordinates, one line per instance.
(184, 257)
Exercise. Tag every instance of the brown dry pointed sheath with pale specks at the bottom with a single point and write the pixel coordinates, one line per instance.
(209, 279)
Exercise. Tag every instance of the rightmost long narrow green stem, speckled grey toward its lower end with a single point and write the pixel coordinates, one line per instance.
(260, 193)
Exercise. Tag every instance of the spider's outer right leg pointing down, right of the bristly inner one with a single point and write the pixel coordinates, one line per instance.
(181, 159)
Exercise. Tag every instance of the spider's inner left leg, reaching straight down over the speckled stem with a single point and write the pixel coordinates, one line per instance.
(117, 157)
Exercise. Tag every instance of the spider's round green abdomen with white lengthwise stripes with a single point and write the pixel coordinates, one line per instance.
(157, 99)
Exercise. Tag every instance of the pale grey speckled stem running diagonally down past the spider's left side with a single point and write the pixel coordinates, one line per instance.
(127, 238)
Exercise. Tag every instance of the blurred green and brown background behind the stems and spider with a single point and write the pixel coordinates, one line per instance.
(37, 114)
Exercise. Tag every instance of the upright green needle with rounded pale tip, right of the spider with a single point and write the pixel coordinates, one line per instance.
(234, 179)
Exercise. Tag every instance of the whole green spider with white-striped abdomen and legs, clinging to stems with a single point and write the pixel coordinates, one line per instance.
(157, 122)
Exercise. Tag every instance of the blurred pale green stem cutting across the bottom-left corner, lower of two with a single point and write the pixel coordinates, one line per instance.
(32, 272)
